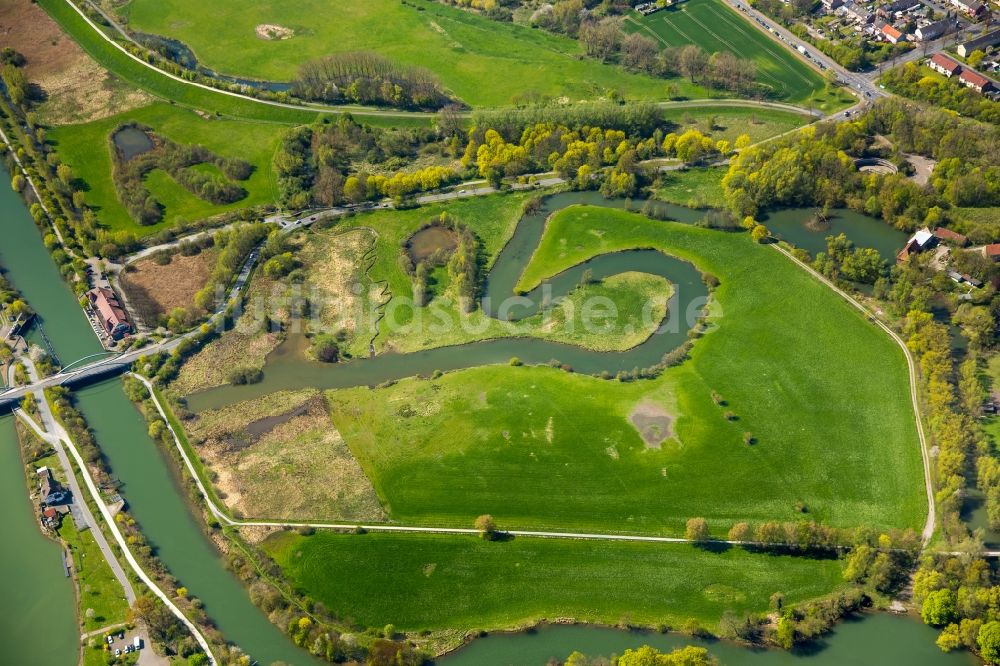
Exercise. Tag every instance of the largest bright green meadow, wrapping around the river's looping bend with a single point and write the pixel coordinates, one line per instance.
(541, 448)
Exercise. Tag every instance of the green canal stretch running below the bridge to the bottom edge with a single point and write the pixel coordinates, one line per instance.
(156, 502)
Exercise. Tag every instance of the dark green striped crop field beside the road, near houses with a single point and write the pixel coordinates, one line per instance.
(714, 27)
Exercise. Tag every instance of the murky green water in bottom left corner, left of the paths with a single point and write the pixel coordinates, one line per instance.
(38, 621)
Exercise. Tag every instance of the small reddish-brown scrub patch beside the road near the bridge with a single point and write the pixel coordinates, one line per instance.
(153, 290)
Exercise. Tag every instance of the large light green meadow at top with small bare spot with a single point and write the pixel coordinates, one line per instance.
(484, 62)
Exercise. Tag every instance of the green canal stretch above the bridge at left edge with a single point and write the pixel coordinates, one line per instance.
(27, 264)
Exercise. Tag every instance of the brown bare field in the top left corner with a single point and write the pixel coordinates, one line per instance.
(76, 89)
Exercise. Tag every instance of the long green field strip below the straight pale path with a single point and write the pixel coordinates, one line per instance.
(433, 582)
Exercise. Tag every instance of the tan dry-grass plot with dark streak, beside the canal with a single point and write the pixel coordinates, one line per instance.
(287, 442)
